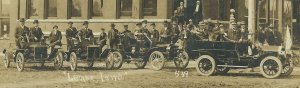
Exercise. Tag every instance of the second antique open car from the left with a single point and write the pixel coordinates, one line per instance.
(86, 51)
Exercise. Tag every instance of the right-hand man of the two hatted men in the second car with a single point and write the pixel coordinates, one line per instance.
(85, 33)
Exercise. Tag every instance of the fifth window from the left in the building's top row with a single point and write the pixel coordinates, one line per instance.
(126, 8)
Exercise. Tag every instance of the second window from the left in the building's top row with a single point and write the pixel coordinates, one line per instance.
(51, 8)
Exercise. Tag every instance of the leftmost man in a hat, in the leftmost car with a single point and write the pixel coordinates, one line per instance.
(21, 33)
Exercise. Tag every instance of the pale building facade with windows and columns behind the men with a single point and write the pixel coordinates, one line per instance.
(101, 13)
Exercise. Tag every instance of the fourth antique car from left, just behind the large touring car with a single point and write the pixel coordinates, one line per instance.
(168, 52)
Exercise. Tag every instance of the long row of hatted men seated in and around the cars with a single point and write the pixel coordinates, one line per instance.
(142, 36)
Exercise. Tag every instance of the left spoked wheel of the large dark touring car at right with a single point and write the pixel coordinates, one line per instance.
(206, 65)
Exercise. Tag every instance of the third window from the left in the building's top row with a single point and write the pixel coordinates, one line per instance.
(76, 8)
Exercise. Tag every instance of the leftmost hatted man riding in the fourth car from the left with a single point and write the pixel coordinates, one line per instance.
(166, 33)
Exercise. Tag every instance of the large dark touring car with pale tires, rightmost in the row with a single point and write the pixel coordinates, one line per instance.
(218, 57)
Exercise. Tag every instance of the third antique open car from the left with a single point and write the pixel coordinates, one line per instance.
(128, 51)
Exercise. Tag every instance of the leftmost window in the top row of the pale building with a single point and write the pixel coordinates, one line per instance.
(33, 6)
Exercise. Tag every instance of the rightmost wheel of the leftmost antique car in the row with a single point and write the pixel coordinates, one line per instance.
(58, 61)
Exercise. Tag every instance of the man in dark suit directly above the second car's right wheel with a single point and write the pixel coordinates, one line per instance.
(113, 37)
